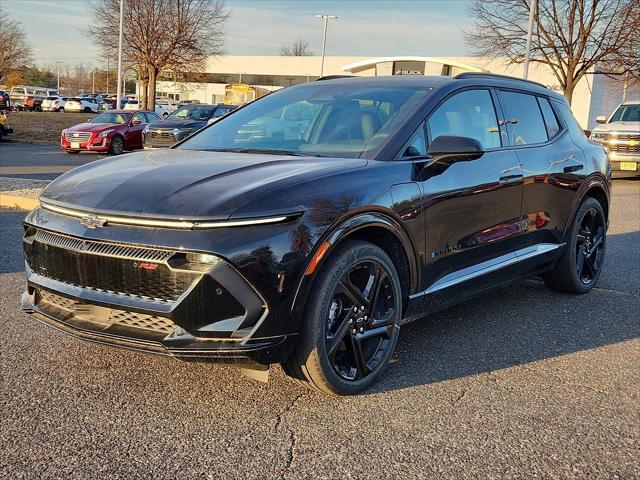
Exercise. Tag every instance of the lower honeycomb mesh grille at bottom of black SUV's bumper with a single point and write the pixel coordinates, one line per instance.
(150, 323)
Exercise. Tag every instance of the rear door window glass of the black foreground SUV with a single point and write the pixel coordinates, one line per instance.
(526, 126)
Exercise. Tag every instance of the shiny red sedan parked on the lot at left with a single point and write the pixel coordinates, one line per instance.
(114, 132)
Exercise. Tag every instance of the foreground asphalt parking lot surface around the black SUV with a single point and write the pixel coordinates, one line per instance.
(524, 383)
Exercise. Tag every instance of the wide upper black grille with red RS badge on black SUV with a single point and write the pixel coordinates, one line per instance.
(88, 264)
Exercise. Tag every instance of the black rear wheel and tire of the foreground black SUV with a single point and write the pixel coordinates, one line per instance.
(580, 266)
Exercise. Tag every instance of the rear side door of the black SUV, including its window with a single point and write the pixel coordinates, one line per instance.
(552, 165)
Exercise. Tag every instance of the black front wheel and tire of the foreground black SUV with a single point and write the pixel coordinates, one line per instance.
(334, 329)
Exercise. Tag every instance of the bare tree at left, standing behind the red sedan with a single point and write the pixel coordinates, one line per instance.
(160, 35)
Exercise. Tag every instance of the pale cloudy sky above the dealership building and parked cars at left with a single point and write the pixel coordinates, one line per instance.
(261, 27)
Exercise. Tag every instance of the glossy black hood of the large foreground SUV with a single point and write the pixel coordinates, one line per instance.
(184, 184)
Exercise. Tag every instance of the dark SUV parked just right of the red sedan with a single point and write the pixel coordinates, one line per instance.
(182, 123)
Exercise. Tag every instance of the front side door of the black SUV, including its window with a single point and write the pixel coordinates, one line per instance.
(472, 208)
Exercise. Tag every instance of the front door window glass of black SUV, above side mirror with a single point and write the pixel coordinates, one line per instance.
(467, 114)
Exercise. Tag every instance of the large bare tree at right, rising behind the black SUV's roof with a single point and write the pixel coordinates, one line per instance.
(572, 37)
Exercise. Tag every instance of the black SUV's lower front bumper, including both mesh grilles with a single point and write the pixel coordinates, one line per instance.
(147, 299)
